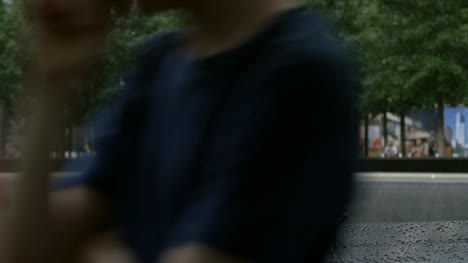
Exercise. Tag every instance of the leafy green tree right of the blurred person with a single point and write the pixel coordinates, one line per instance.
(412, 51)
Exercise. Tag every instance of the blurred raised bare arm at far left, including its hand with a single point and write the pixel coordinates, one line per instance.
(44, 227)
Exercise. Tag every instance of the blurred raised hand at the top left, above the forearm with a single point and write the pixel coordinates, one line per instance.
(67, 35)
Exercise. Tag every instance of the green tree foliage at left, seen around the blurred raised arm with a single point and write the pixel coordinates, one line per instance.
(104, 80)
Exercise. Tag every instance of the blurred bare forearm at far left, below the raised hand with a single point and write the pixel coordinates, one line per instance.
(44, 227)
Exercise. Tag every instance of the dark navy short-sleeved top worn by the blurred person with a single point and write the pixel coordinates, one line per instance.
(249, 152)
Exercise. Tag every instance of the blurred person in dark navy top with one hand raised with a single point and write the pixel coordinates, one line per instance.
(222, 119)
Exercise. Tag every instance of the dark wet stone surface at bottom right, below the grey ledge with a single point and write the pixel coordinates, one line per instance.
(437, 242)
